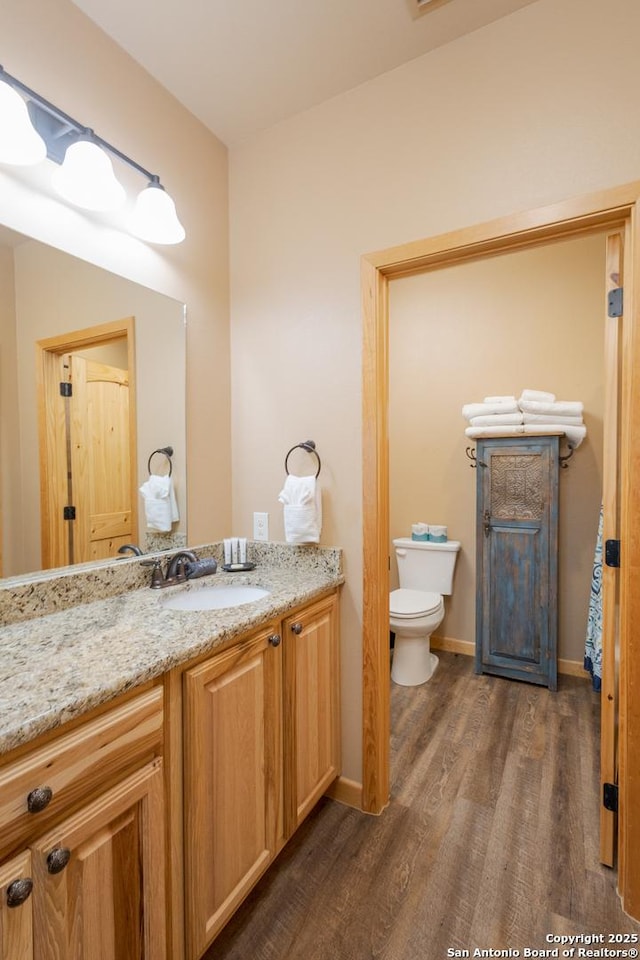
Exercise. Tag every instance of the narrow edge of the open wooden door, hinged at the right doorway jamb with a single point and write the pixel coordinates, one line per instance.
(610, 531)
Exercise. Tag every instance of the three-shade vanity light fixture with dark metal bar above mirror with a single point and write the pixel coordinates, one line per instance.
(85, 175)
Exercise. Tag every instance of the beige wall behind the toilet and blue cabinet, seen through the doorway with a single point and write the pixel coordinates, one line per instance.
(496, 326)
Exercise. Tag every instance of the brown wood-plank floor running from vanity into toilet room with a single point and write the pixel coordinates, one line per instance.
(490, 839)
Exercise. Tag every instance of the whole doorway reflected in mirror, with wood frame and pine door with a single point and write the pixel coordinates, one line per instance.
(87, 430)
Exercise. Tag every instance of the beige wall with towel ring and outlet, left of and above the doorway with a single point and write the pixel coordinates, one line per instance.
(519, 114)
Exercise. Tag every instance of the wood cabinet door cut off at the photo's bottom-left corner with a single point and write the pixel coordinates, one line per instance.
(16, 915)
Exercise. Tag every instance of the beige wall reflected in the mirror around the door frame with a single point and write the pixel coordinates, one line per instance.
(55, 294)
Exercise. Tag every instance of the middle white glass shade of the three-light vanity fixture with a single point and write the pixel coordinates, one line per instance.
(86, 178)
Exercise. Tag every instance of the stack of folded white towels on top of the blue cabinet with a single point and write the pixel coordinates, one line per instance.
(534, 412)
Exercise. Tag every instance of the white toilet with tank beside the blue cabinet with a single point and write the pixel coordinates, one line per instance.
(416, 609)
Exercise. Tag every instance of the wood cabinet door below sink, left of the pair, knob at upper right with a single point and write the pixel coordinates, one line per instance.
(233, 775)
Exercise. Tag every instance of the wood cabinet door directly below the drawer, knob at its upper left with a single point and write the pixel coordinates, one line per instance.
(98, 877)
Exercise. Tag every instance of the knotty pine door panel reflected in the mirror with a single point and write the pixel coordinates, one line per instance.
(100, 463)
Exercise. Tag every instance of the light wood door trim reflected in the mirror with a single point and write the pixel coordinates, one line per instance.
(46, 351)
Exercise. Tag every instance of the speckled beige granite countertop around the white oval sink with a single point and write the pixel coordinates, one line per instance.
(59, 666)
